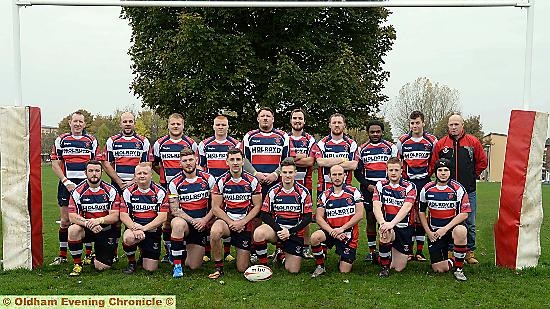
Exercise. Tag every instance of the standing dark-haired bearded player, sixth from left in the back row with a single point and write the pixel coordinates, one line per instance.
(301, 144)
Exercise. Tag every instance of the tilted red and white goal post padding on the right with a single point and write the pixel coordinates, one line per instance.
(517, 230)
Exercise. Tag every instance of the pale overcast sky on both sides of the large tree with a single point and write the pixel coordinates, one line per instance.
(76, 57)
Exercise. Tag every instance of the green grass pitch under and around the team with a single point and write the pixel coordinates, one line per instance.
(417, 286)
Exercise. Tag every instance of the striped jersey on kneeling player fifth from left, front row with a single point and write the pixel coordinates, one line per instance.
(288, 207)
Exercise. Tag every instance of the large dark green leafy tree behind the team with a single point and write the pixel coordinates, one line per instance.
(200, 62)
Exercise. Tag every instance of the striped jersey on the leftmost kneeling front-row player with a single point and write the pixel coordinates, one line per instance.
(93, 203)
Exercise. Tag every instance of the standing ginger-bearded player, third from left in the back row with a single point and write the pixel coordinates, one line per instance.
(166, 153)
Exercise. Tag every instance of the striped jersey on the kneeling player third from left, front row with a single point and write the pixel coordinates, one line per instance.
(193, 193)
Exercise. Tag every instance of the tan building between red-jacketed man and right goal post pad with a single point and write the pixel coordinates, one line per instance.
(495, 149)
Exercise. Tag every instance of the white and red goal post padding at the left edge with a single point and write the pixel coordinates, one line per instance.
(21, 187)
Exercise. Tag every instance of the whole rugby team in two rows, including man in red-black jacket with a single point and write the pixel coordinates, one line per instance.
(223, 192)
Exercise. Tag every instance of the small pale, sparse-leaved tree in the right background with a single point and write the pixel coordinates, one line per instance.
(436, 101)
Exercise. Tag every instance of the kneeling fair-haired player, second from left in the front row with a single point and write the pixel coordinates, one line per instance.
(143, 209)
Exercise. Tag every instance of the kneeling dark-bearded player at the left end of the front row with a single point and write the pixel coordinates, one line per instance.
(93, 212)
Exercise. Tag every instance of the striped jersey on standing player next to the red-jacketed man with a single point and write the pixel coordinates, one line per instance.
(416, 153)
